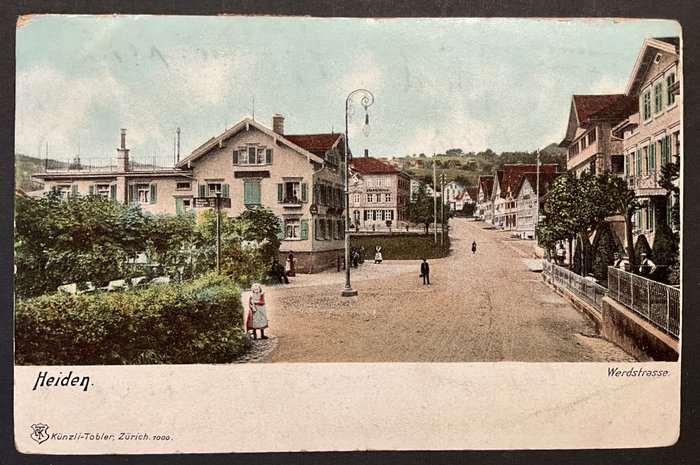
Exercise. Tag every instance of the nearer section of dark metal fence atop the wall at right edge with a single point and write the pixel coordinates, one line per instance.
(655, 302)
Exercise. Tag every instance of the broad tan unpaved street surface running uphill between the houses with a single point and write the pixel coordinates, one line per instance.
(481, 307)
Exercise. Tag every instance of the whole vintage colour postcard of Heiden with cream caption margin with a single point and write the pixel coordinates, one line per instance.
(269, 233)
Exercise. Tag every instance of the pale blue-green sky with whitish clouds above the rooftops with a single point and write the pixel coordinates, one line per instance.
(439, 83)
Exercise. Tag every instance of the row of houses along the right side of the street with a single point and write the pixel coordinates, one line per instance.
(632, 135)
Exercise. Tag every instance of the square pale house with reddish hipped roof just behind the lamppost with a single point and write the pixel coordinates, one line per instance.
(379, 195)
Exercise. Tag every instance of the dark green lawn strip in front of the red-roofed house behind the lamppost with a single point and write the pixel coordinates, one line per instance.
(402, 247)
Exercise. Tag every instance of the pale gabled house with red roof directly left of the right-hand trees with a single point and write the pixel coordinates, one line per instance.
(526, 202)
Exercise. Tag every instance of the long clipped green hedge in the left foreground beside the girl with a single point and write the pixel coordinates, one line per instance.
(195, 322)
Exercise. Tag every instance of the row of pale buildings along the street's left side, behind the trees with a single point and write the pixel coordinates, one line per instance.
(299, 177)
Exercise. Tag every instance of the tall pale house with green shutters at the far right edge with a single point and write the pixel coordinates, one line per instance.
(652, 134)
